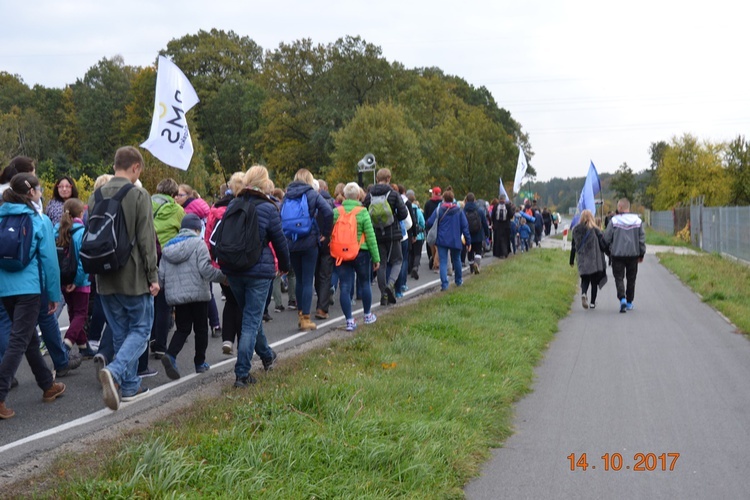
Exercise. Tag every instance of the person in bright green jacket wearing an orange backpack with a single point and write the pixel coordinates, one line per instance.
(367, 260)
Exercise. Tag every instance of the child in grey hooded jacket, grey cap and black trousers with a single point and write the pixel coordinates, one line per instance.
(185, 274)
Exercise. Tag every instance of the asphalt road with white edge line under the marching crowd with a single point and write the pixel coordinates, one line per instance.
(40, 427)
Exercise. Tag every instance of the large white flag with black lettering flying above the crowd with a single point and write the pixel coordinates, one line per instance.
(169, 139)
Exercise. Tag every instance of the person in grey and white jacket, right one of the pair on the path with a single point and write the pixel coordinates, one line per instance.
(626, 241)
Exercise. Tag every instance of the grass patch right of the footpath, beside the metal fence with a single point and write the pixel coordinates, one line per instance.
(723, 283)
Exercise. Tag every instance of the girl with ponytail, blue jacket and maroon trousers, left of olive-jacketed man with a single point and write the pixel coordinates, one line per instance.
(76, 294)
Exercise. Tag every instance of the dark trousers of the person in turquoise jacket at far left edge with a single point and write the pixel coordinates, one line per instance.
(23, 341)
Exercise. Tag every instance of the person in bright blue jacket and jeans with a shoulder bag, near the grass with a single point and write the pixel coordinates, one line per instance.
(452, 225)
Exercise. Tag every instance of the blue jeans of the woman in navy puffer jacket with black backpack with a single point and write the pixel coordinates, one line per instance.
(251, 296)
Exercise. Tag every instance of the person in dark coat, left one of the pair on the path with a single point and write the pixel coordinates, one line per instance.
(587, 243)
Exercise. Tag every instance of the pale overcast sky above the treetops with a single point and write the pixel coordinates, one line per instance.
(587, 80)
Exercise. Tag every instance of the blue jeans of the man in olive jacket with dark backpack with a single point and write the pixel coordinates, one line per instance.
(130, 318)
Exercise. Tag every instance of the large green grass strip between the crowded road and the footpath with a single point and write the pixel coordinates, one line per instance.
(409, 407)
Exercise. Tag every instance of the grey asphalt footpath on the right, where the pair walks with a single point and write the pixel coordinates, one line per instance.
(672, 376)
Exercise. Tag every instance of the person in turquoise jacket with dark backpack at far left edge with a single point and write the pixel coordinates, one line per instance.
(21, 292)
